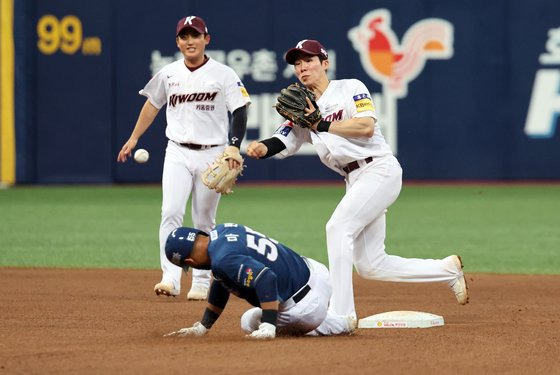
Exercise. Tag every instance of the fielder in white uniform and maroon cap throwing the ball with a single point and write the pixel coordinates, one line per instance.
(349, 141)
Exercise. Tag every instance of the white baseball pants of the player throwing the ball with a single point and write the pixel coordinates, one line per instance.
(356, 236)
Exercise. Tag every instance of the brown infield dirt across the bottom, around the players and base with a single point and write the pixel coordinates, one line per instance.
(57, 321)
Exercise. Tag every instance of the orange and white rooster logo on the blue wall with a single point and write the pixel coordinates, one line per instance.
(394, 65)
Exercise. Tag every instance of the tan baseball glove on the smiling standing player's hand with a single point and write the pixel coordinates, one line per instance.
(219, 177)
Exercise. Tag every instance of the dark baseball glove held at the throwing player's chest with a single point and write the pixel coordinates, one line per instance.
(291, 105)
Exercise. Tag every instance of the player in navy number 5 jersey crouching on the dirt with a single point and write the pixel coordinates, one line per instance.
(290, 293)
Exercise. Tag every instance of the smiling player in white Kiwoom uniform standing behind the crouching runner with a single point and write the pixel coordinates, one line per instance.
(199, 93)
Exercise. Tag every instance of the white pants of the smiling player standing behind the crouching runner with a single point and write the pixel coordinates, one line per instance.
(182, 170)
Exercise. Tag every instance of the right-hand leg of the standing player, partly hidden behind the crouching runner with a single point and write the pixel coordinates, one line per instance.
(204, 207)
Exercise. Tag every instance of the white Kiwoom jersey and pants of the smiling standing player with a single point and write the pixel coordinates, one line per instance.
(198, 103)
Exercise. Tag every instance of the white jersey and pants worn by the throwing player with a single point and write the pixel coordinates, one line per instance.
(356, 229)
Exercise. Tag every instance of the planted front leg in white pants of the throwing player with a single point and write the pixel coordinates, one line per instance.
(369, 191)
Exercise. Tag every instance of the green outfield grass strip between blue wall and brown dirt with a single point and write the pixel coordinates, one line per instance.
(502, 229)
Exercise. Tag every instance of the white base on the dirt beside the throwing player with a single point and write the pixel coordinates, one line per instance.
(401, 319)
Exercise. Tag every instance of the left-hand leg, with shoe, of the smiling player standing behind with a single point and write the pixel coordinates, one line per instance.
(176, 187)
